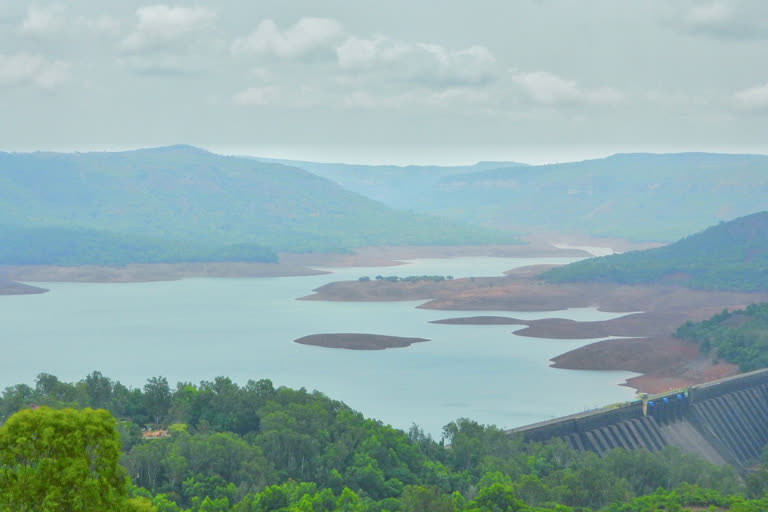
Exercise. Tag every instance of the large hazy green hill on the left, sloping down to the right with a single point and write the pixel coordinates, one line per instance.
(143, 204)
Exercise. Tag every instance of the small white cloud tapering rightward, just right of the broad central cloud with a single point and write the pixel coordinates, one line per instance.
(548, 88)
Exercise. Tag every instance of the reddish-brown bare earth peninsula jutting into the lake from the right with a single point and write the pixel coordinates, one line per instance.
(666, 362)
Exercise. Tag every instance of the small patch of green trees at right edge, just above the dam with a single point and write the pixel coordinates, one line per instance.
(739, 337)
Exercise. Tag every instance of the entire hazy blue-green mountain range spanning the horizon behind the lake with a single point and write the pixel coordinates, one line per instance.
(181, 203)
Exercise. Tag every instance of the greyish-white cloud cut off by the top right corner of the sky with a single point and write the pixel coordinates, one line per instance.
(735, 19)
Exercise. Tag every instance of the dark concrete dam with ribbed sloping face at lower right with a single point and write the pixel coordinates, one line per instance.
(724, 421)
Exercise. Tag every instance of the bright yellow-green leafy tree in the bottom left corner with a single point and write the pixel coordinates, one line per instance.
(54, 460)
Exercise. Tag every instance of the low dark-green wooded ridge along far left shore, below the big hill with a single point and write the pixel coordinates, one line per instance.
(64, 246)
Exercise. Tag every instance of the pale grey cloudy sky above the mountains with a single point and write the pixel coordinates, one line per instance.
(434, 81)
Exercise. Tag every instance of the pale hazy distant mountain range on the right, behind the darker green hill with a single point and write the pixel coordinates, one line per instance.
(658, 197)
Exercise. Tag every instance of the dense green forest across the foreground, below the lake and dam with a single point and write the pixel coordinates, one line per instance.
(257, 447)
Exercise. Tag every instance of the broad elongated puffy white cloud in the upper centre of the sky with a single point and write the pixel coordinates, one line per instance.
(419, 62)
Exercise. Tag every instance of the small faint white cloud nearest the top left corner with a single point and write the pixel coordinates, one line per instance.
(54, 20)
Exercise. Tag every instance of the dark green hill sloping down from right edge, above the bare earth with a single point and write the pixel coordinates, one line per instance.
(730, 256)
